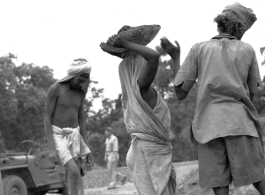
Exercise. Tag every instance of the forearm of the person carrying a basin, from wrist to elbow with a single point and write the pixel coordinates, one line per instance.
(147, 53)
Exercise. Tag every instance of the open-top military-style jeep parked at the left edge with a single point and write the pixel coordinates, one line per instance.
(31, 173)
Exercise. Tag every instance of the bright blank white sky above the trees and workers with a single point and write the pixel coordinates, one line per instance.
(54, 33)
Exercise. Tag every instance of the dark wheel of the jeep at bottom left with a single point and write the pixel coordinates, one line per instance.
(14, 185)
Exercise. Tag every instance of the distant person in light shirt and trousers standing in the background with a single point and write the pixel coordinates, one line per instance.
(111, 155)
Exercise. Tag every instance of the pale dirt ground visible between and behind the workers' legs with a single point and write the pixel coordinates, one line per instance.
(187, 179)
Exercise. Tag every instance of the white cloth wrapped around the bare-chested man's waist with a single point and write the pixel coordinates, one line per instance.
(69, 144)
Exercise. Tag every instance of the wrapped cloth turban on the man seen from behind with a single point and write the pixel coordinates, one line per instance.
(243, 14)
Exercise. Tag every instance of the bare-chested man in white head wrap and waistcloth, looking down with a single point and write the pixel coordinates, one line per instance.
(65, 124)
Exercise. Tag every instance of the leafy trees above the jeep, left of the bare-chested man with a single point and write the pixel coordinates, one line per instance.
(23, 91)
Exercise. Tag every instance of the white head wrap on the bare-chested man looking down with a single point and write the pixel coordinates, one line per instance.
(77, 67)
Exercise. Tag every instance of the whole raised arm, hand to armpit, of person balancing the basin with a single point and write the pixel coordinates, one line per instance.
(151, 56)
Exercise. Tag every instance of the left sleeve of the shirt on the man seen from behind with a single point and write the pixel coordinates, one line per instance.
(188, 72)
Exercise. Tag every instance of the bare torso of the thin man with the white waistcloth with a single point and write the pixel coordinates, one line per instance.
(67, 106)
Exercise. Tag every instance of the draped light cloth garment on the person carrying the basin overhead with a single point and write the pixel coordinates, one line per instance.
(149, 158)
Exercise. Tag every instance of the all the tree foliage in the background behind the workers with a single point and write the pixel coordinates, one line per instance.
(23, 92)
